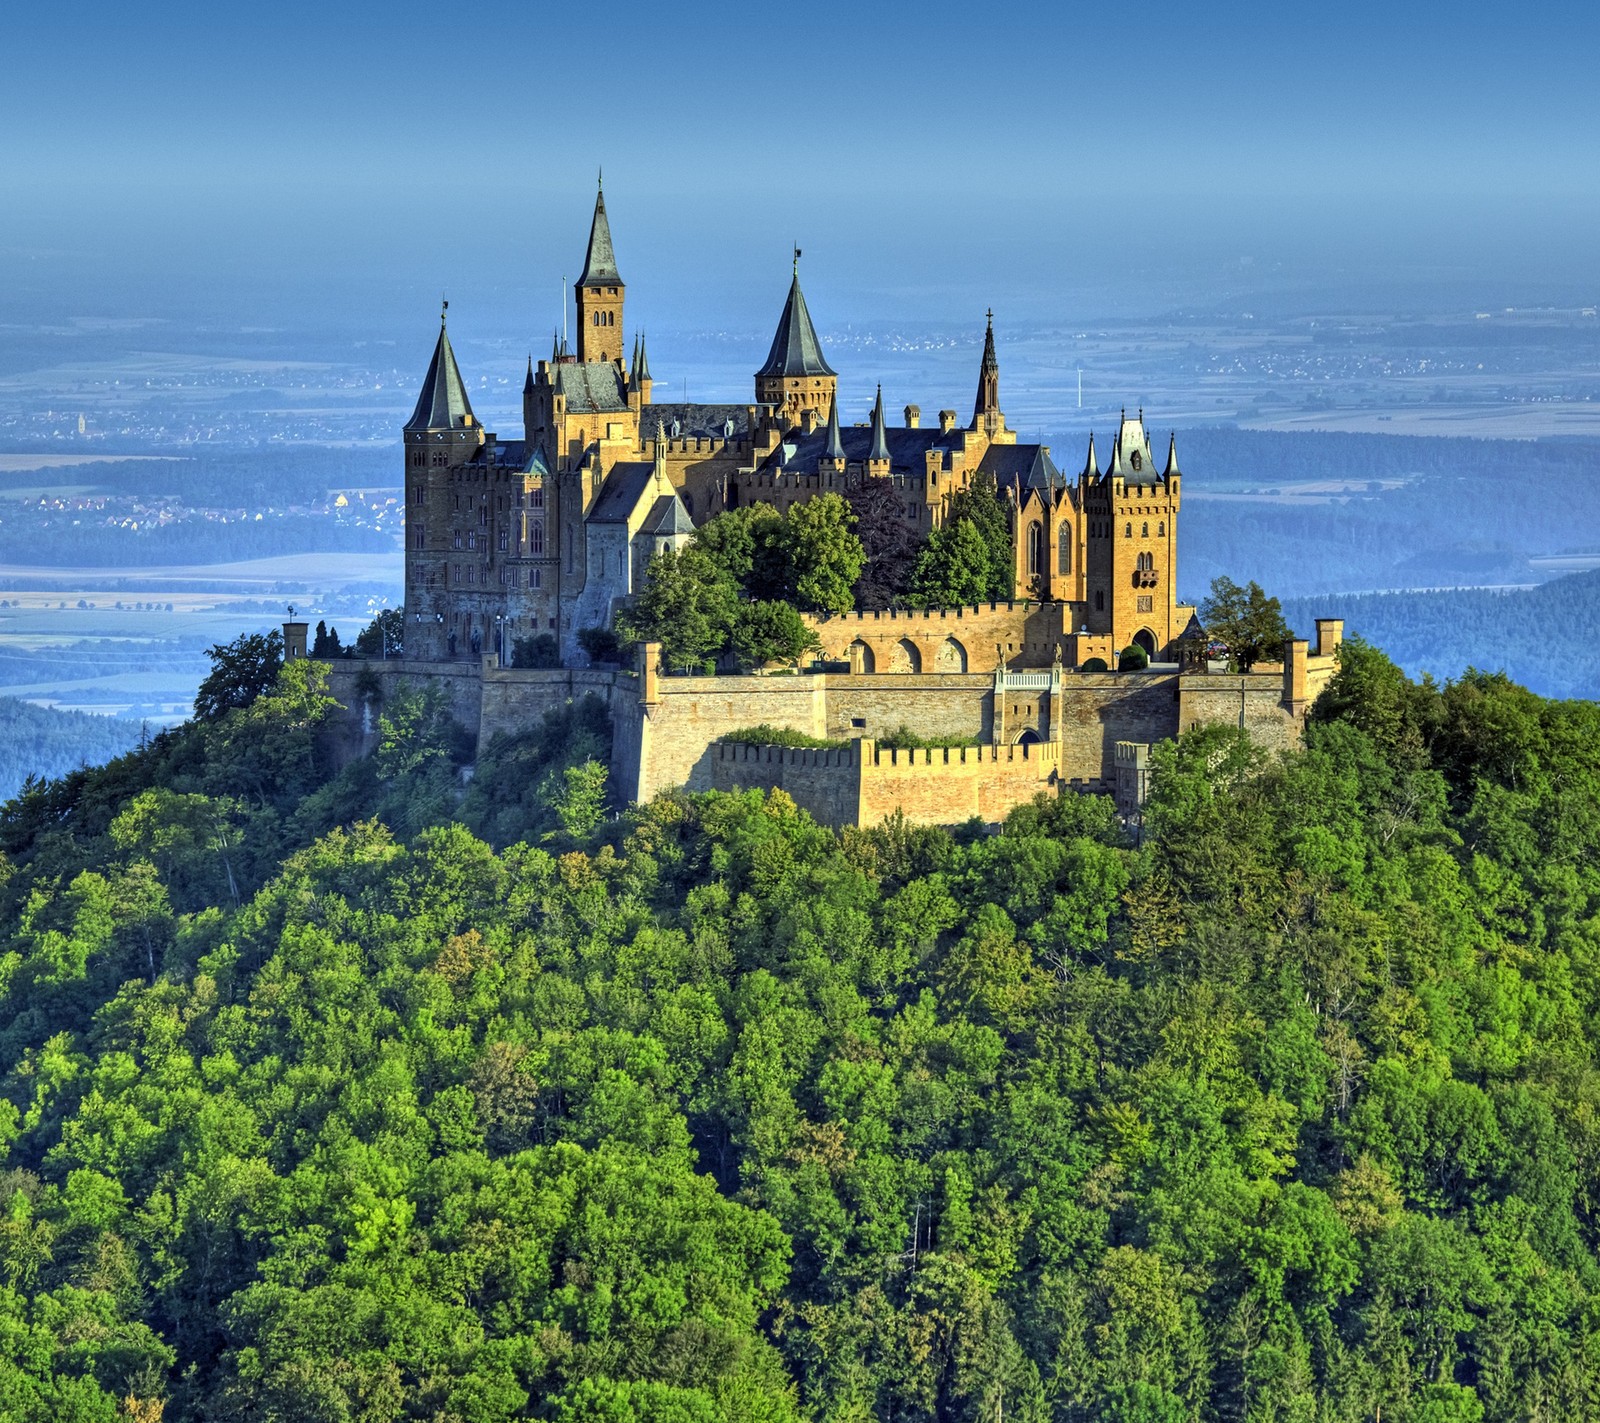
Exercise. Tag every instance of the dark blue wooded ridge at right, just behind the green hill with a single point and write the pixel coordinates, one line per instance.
(1543, 638)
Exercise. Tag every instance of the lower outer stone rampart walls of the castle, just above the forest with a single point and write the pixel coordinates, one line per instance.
(1036, 729)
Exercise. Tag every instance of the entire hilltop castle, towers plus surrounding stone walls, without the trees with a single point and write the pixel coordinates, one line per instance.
(553, 534)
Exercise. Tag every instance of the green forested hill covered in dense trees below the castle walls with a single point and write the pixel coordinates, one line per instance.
(377, 1097)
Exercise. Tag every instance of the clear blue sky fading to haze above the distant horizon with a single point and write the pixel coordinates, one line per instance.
(364, 156)
